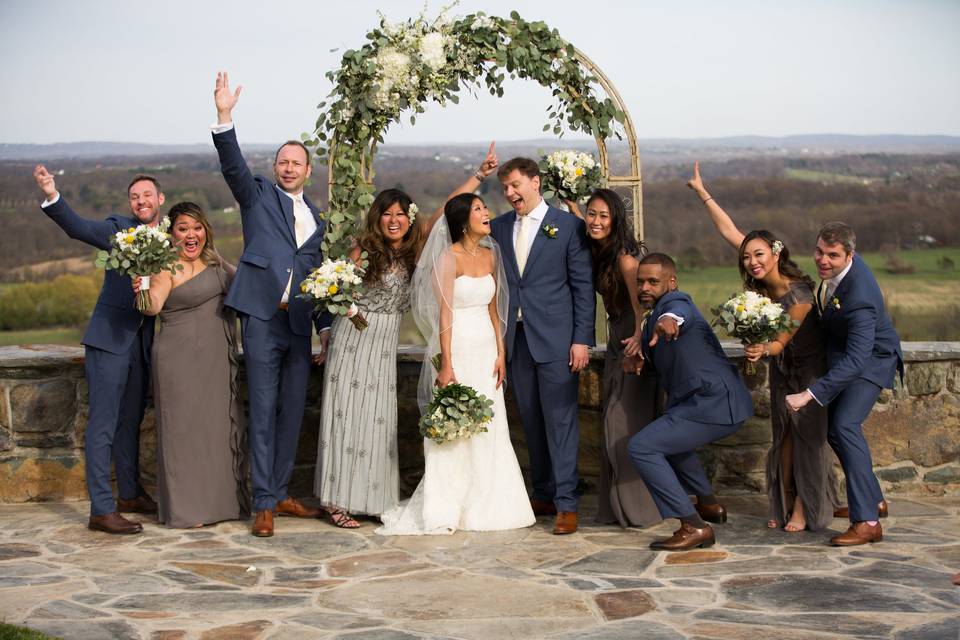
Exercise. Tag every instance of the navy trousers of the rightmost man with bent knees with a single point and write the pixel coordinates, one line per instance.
(845, 434)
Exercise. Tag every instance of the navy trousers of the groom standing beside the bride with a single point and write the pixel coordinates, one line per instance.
(547, 394)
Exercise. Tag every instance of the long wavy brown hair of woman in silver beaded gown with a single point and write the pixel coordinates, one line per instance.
(380, 255)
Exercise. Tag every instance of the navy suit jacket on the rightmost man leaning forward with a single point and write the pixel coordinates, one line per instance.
(861, 340)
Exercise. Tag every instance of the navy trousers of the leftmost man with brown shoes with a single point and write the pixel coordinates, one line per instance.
(117, 385)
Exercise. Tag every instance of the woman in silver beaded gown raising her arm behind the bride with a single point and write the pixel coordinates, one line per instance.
(357, 468)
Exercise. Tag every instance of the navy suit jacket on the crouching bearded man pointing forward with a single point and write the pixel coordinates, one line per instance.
(702, 384)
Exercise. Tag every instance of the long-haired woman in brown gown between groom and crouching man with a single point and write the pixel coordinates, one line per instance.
(629, 400)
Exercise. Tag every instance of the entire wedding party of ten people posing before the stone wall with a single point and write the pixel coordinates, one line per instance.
(505, 299)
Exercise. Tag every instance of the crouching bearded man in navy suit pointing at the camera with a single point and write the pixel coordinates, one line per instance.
(706, 401)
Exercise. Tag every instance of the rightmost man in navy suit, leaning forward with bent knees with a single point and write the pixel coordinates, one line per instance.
(863, 357)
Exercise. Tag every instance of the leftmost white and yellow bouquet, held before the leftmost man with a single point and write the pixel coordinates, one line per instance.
(141, 251)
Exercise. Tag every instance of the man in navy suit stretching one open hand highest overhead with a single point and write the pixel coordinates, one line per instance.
(282, 231)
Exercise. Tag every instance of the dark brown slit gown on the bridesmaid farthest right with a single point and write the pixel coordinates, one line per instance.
(801, 363)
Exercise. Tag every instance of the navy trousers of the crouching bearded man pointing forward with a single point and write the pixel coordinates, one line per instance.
(663, 453)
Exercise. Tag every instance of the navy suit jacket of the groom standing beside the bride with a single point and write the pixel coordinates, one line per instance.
(556, 289)
